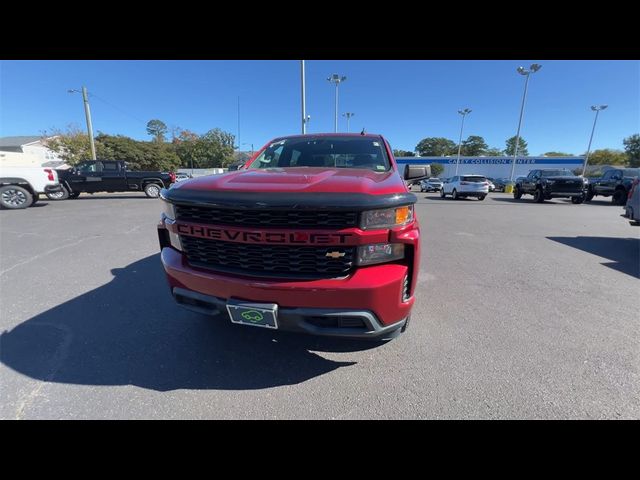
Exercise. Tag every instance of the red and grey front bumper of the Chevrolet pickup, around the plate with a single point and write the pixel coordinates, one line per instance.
(366, 304)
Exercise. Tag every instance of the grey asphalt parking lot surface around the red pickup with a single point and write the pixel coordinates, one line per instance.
(523, 310)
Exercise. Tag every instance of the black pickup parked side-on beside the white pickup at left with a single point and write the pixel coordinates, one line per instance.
(92, 176)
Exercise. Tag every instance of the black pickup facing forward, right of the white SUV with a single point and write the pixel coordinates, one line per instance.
(546, 184)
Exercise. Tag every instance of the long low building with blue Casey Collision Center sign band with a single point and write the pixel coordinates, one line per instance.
(494, 167)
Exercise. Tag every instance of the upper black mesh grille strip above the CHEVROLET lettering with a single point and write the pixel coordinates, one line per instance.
(268, 218)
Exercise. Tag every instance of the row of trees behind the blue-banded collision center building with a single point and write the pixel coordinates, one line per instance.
(475, 145)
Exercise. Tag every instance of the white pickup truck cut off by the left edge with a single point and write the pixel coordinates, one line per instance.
(20, 187)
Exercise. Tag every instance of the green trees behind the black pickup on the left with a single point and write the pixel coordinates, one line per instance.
(186, 149)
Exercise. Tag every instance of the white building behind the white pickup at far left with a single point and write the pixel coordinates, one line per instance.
(27, 151)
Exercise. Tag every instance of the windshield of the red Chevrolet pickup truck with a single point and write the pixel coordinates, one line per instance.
(325, 152)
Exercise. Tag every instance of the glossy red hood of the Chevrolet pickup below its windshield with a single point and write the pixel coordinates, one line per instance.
(300, 180)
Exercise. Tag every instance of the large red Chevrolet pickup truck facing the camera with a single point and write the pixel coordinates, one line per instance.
(316, 233)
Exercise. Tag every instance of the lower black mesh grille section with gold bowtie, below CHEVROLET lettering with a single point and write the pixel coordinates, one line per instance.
(284, 261)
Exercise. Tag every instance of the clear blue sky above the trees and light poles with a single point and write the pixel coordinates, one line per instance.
(404, 100)
